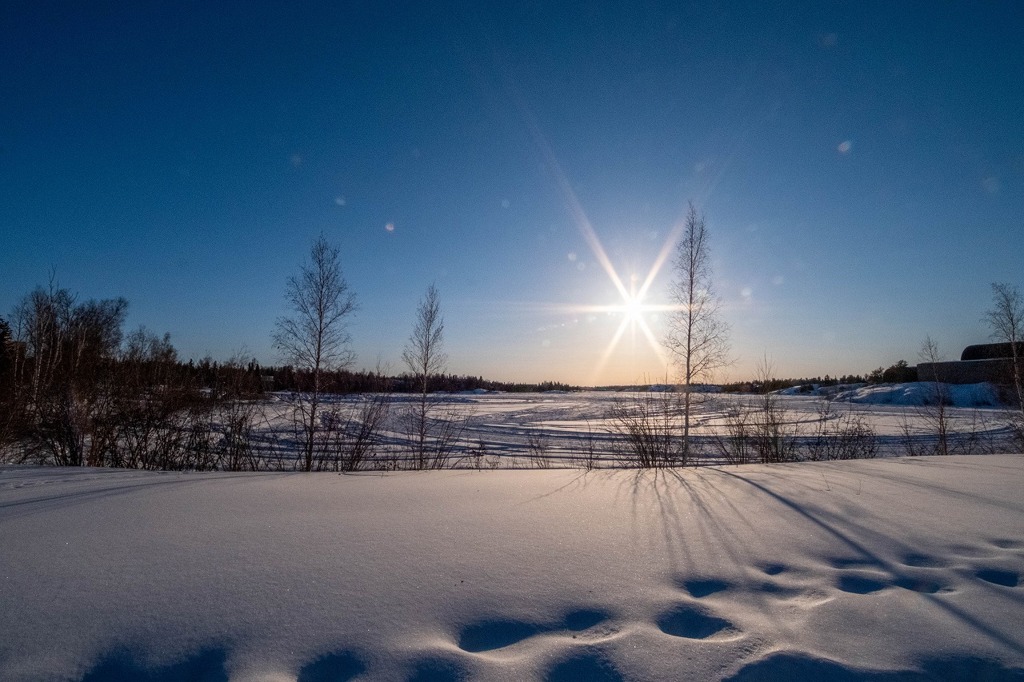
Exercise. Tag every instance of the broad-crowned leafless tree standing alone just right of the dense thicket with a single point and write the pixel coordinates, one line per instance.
(316, 337)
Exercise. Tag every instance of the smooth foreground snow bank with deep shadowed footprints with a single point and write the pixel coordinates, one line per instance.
(908, 569)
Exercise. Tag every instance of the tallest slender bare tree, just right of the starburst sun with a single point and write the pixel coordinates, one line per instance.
(698, 337)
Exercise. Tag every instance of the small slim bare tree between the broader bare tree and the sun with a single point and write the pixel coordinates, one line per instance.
(424, 356)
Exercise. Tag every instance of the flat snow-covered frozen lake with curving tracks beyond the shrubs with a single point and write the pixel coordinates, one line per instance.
(601, 429)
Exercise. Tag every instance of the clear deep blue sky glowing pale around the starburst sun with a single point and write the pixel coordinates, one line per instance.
(861, 166)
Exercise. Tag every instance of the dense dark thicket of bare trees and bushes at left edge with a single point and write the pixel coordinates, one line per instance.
(77, 391)
